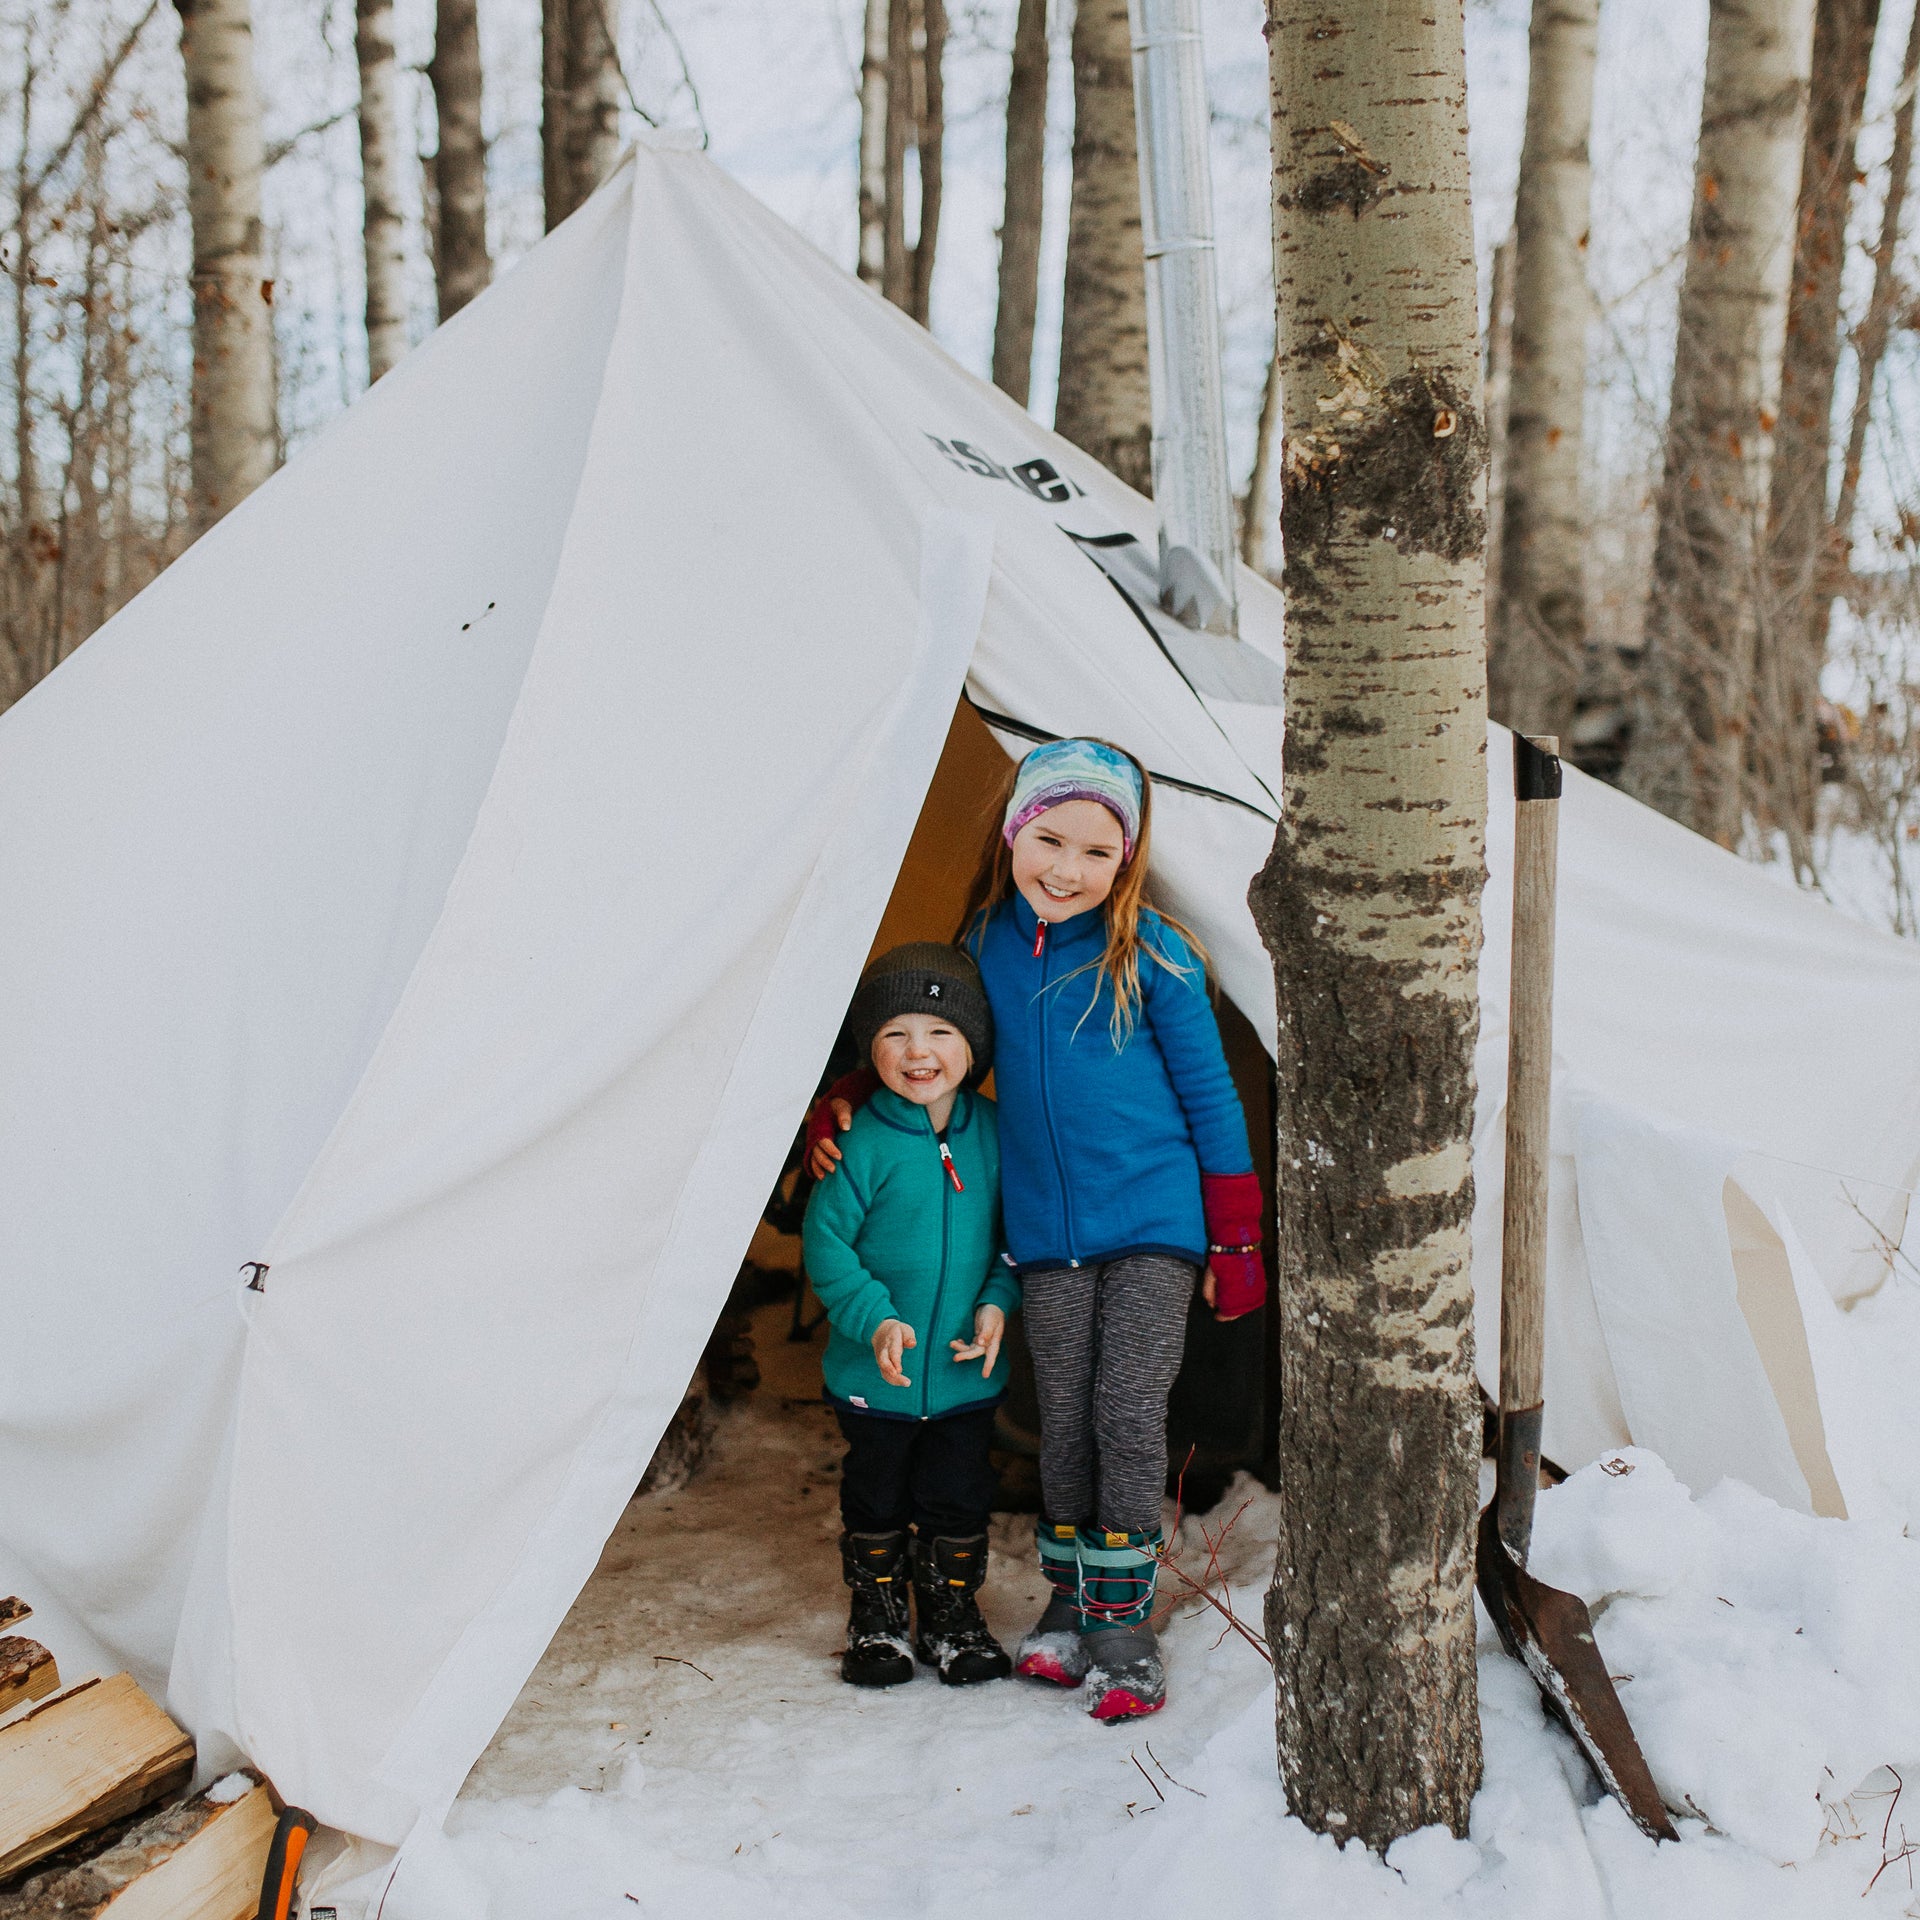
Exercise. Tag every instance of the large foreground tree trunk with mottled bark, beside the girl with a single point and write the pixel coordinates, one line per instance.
(1372, 911)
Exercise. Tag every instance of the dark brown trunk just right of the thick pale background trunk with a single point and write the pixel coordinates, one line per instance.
(1792, 640)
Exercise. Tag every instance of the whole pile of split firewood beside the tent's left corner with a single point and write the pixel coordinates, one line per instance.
(97, 1821)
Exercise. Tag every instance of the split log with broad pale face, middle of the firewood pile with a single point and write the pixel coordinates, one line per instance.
(85, 1758)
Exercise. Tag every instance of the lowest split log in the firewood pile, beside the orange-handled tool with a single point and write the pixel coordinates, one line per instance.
(201, 1860)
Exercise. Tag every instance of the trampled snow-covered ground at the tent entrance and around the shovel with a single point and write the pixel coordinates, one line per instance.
(688, 1750)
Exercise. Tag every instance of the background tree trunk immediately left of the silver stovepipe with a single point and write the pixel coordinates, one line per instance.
(1105, 404)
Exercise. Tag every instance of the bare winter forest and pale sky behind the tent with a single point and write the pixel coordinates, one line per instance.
(1698, 293)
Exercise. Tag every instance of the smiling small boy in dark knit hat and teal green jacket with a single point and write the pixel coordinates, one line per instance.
(903, 1251)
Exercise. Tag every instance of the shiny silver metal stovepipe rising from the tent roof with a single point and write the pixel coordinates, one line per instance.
(1193, 487)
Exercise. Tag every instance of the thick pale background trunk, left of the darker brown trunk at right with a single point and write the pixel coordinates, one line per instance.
(1694, 696)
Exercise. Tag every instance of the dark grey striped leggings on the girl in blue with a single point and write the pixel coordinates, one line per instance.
(1107, 1343)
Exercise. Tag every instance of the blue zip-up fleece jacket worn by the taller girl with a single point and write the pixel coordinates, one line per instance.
(1101, 1147)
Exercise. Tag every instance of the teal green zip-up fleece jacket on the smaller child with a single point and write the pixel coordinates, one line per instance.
(892, 1237)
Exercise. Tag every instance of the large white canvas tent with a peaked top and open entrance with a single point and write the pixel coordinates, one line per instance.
(443, 888)
